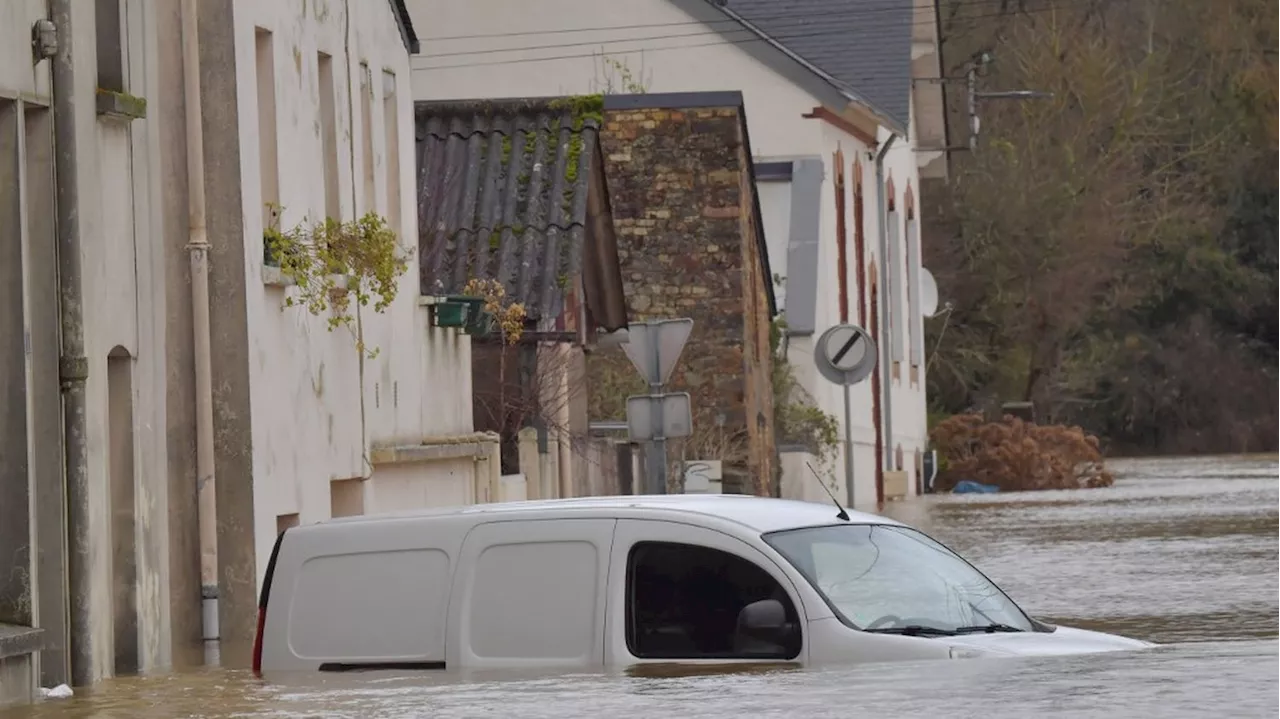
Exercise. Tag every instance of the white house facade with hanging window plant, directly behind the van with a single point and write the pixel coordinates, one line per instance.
(326, 131)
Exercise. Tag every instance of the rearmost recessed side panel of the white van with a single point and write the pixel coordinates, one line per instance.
(374, 607)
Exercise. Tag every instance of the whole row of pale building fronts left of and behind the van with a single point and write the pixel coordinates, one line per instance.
(170, 414)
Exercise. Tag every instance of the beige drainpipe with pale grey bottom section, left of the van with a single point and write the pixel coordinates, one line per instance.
(198, 248)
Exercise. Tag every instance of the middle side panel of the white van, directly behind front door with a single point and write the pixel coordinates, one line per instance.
(531, 593)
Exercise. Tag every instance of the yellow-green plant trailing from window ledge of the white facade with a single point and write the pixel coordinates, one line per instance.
(332, 262)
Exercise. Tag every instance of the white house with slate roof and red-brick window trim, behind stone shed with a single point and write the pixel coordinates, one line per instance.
(829, 89)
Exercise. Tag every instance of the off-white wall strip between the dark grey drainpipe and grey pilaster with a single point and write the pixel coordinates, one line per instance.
(122, 259)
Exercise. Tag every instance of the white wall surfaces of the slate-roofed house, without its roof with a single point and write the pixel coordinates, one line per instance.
(478, 67)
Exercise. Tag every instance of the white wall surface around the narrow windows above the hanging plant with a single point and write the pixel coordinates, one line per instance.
(313, 415)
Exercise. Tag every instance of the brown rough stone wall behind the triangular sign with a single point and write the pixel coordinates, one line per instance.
(684, 210)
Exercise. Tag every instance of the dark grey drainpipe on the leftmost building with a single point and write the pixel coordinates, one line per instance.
(74, 367)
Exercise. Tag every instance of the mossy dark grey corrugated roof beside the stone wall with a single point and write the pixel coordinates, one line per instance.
(514, 190)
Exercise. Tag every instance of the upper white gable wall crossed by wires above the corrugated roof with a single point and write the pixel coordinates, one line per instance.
(706, 65)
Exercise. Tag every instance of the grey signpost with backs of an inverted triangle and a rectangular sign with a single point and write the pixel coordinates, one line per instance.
(655, 347)
